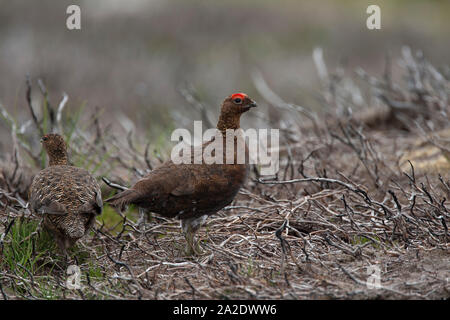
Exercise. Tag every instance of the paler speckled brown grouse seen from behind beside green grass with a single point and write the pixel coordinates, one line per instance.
(68, 197)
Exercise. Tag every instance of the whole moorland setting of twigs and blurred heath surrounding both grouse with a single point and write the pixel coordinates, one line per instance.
(138, 69)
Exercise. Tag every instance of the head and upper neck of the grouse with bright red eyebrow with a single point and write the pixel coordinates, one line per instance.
(232, 109)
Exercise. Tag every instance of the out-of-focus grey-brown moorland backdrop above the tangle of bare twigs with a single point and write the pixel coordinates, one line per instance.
(131, 58)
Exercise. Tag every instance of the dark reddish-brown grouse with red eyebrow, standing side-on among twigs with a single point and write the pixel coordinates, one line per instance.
(191, 192)
